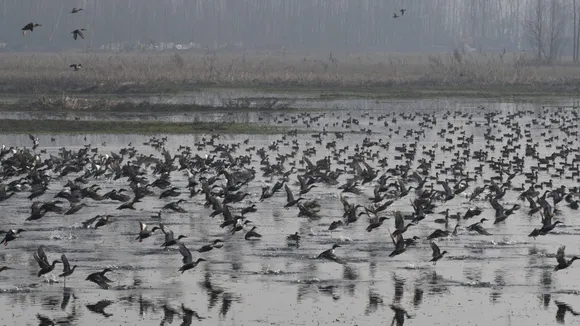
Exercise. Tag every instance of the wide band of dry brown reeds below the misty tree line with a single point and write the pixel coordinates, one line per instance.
(167, 72)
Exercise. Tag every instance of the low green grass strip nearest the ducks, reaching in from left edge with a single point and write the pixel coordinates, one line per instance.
(49, 126)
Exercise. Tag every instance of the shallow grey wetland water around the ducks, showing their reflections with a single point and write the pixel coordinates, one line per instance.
(502, 279)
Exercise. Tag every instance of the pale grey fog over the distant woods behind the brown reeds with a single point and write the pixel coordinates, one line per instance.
(292, 25)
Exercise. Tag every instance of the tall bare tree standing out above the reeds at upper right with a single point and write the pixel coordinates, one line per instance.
(545, 29)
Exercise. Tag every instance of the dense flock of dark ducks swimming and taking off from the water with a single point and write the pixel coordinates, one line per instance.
(416, 174)
